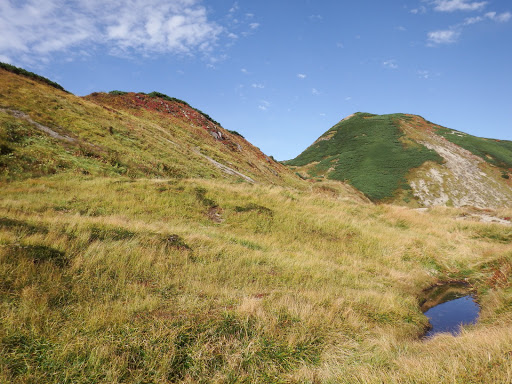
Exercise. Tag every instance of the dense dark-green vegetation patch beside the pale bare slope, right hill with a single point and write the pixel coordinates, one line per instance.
(369, 151)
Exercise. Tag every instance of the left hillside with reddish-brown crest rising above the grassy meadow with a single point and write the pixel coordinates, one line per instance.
(46, 131)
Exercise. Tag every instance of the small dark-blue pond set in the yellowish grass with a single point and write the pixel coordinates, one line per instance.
(448, 307)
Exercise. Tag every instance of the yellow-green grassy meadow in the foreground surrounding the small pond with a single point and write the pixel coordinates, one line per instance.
(186, 280)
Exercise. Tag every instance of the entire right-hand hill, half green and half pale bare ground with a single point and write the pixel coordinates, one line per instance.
(403, 158)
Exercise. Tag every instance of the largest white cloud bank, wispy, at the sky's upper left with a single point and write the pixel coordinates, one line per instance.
(36, 28)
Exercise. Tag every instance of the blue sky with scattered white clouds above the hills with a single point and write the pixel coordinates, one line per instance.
(280, 72)
